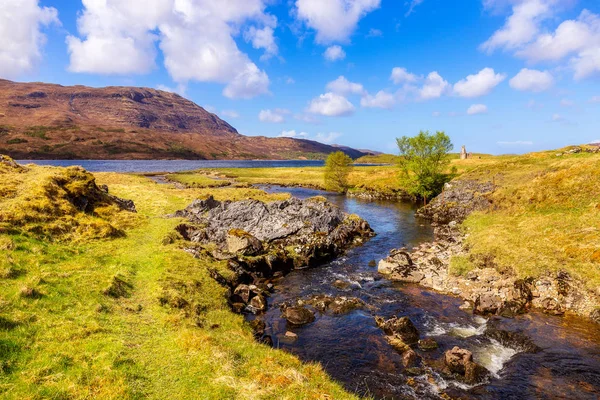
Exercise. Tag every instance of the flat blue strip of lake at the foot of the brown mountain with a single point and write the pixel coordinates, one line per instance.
(174, 165)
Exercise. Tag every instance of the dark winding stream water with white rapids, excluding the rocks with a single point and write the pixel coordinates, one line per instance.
(353, 350)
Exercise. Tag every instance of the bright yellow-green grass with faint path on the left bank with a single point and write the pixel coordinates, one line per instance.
(99, 325)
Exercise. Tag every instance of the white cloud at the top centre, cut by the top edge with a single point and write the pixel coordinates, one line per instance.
(334, 20)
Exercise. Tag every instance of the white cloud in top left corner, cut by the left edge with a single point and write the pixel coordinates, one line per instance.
(21, 37)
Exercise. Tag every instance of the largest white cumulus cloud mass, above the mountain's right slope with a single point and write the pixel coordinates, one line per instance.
(195, 36)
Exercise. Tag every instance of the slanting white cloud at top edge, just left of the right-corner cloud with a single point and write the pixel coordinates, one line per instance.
(521, 27)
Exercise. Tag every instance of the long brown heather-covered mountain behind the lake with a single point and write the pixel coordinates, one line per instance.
(47, 121)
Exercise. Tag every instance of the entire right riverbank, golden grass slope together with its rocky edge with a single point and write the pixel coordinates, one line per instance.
(516, 234)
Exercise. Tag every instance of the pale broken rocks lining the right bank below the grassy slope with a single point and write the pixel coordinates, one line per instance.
(488, 291)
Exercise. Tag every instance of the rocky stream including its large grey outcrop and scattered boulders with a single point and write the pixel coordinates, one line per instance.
(372, 327)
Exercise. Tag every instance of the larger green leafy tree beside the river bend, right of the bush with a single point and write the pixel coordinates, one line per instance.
(423, 160)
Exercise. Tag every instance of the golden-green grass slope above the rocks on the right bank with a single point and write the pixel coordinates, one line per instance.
(545, 216)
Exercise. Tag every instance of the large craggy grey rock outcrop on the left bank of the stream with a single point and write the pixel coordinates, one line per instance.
(261, 241)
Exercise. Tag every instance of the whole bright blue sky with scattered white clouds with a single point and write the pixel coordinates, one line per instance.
(499, 76)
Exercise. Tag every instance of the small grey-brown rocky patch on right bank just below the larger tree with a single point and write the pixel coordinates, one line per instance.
(458, 199)
